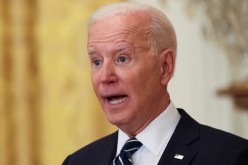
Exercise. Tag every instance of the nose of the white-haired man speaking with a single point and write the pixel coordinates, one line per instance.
(108, 73)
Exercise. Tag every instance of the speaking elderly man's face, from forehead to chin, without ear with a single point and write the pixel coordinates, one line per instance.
(125, 76)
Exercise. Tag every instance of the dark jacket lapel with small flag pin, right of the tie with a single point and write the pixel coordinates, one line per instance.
(180, 144)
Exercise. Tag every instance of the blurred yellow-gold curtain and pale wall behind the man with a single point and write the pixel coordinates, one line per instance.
(47, 105)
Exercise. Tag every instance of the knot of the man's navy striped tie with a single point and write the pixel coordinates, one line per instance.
(131, 146)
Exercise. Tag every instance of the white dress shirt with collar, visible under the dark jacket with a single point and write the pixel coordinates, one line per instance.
(154, 137)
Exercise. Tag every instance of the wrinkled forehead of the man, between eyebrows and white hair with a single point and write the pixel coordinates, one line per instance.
(131, 28)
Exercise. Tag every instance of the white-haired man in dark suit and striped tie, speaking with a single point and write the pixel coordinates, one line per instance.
(132, 50)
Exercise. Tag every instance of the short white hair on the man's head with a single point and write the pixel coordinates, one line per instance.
(162, 33)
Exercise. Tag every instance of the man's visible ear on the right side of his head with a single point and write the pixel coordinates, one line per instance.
(167, 62)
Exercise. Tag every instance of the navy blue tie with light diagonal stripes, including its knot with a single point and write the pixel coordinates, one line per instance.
(129, 148)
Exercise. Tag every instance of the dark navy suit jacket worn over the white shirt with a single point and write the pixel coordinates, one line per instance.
(200, 145)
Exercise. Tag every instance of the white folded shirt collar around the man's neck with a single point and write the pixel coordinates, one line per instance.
(159, 130)
